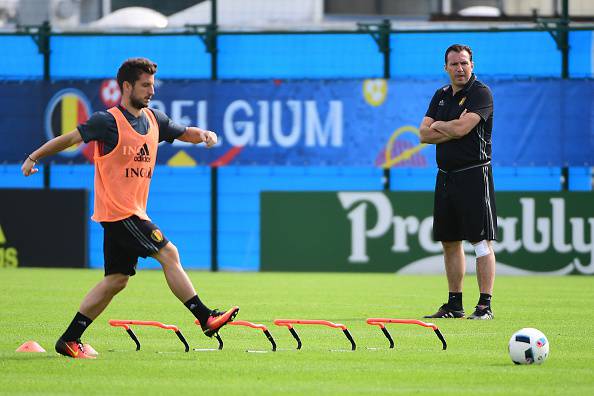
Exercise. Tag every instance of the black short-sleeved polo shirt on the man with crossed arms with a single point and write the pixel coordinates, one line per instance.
(475, 147)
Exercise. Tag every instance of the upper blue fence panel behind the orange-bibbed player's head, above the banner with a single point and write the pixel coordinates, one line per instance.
(101, 56)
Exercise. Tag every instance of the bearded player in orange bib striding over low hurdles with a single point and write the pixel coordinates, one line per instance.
(126, 141)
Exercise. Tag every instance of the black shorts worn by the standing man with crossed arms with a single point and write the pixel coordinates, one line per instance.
(464, 206)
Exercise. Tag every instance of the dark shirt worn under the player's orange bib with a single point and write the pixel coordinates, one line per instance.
(102, 127)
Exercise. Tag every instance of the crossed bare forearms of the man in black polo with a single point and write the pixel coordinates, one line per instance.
(435, 132)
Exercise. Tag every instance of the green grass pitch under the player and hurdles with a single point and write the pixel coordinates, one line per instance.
(37, 304)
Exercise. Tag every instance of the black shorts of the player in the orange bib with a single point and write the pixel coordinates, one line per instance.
(126, 240)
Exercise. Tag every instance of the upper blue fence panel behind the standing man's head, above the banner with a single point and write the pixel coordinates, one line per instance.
(422, 54)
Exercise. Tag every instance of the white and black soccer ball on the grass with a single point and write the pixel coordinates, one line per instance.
(528, 346)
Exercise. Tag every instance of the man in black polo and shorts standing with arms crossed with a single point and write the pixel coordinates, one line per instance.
(459, 122)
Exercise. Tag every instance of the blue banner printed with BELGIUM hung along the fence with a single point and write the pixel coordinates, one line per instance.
(322, 122)
